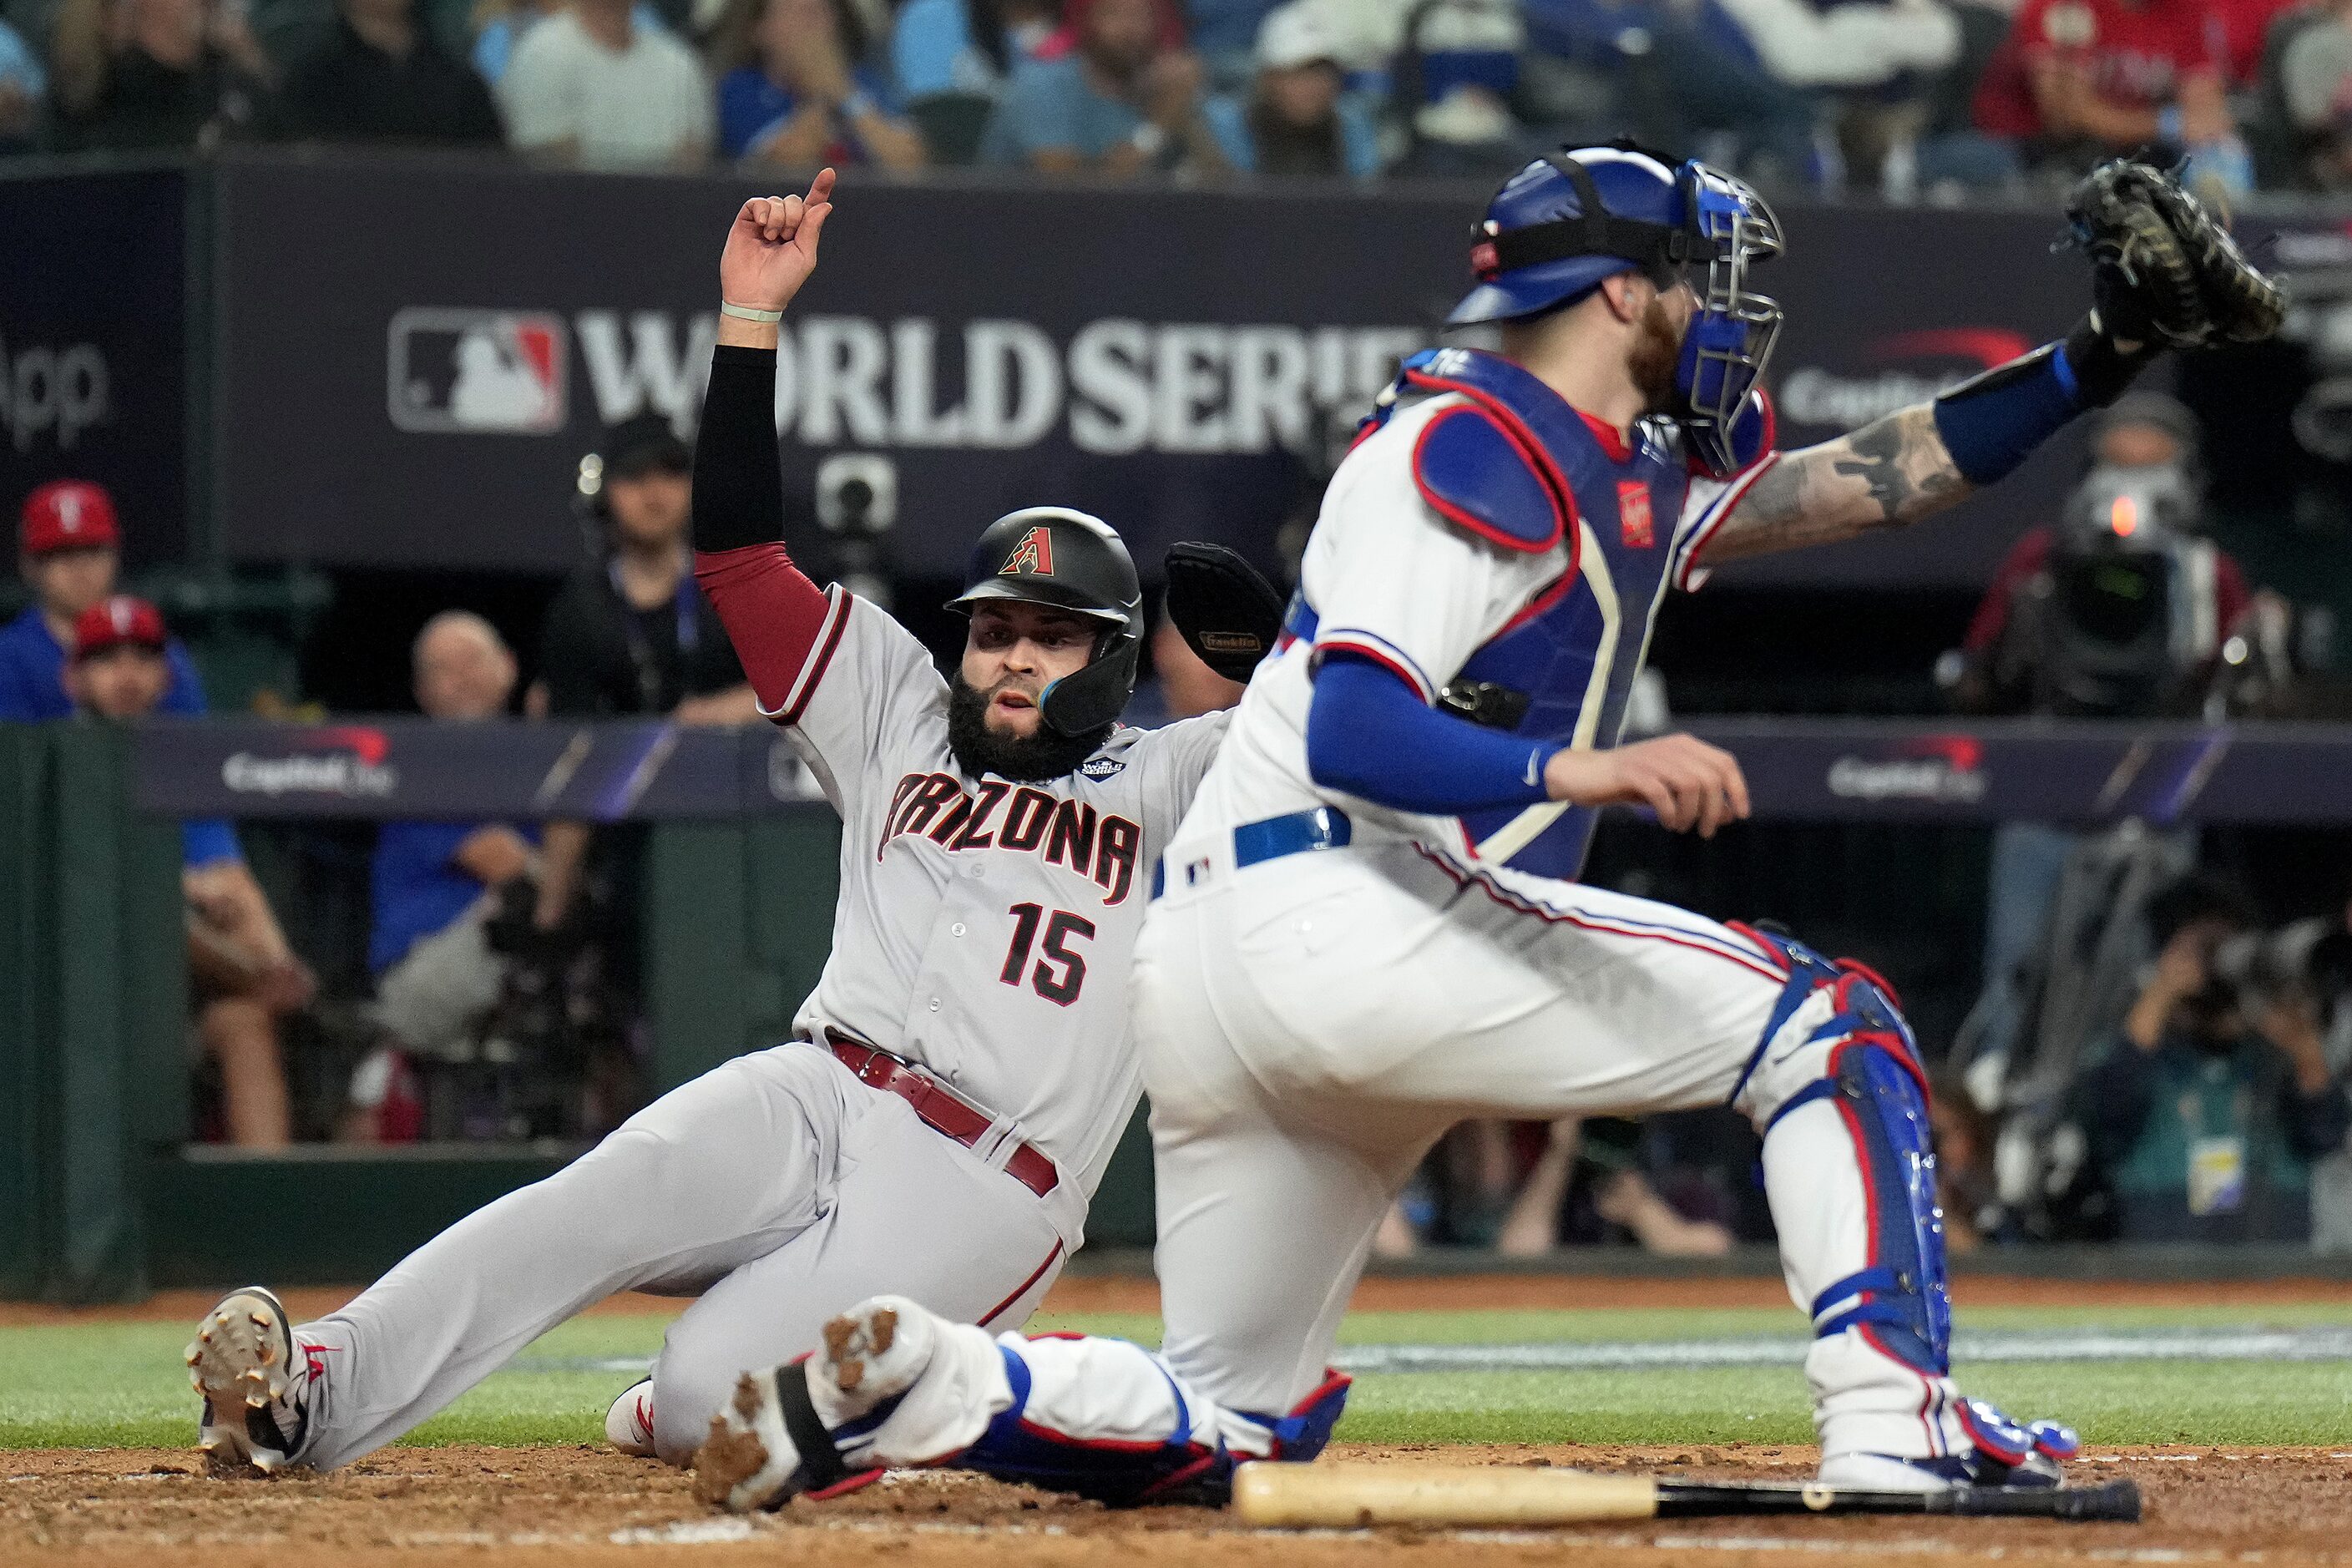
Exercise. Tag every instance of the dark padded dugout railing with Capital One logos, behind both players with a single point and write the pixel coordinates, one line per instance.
(1798, 770)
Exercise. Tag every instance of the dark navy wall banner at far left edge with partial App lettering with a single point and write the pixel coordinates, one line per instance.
(93, 347)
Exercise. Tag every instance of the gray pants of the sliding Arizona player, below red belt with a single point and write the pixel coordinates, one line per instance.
(780, 1188)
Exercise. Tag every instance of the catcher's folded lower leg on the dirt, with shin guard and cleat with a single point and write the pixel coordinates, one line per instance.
(900, 1386)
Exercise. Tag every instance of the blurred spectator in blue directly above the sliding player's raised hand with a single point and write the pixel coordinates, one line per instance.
(799, 95)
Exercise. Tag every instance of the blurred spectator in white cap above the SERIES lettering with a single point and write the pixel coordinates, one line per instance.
(1297, 116)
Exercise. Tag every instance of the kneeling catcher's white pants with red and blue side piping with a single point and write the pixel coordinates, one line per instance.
(1314, 1024)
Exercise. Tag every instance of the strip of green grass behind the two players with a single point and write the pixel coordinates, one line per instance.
(93, 1386)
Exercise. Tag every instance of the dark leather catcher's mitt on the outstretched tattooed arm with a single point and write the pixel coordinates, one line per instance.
(2163, 269)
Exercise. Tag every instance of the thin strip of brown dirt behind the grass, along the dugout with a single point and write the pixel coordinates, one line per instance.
(1403, 1294)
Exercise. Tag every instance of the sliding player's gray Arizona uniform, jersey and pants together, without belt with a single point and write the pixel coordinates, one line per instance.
(984, 930)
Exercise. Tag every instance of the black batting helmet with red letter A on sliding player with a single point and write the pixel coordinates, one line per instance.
(1078, 563)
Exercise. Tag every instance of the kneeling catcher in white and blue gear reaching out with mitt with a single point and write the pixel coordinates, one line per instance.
(1368, 927)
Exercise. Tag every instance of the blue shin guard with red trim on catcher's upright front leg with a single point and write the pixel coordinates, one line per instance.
(1902, 1296)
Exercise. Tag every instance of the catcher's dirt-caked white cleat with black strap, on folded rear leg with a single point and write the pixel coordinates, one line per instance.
(775, 1438)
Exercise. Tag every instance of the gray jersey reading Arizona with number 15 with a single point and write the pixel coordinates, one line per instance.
(984, 927)
